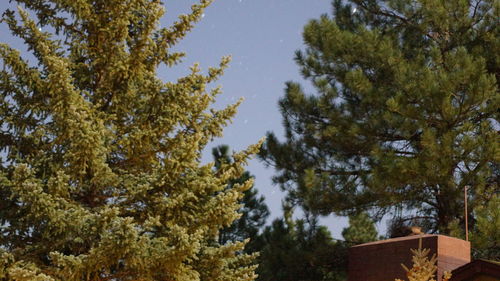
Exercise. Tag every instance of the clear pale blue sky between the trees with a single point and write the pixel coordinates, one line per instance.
(262, 37)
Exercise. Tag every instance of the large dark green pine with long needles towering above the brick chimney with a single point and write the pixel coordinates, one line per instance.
(405, 115)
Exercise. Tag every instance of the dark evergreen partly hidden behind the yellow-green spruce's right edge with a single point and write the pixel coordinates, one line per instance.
(253, 211)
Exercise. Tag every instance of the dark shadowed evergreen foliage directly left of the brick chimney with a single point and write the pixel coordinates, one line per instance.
(300, 251)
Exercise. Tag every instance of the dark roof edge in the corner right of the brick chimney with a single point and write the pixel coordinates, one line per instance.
(477, 267)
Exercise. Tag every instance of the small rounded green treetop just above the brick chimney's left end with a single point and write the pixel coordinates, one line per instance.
(361, 229)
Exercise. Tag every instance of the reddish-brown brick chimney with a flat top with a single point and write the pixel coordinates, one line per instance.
(381, 260)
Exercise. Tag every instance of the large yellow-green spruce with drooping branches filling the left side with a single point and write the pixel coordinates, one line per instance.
(100, 176)
